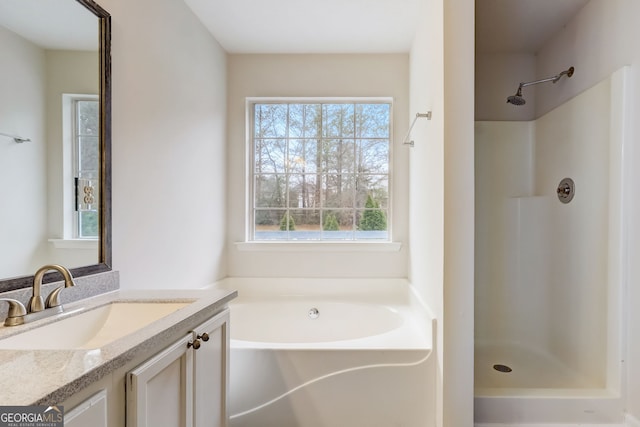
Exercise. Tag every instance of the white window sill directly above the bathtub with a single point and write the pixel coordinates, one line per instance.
(319, 246)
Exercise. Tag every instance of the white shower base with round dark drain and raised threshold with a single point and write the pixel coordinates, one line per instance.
(538, 389)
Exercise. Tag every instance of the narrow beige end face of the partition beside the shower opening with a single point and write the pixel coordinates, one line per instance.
(458, 212)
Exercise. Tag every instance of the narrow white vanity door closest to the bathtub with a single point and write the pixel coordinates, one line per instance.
(211, 372)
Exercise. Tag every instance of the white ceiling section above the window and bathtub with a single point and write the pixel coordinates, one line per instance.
(310, 26)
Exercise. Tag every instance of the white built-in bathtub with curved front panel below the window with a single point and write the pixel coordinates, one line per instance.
(329, 353)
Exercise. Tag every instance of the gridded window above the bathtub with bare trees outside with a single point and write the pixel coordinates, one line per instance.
(320, 170)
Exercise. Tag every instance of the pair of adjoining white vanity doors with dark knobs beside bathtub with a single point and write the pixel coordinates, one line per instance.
(185, 384)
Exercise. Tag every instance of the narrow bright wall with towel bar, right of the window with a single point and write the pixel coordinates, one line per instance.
(426, 181)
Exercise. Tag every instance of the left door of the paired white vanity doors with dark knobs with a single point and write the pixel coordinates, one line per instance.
(159, 392)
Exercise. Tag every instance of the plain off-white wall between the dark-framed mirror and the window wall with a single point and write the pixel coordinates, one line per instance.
(169, 146)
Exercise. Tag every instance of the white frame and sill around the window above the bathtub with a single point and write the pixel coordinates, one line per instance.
(362, 244)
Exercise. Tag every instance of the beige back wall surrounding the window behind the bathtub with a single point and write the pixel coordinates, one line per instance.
(322, 76)
